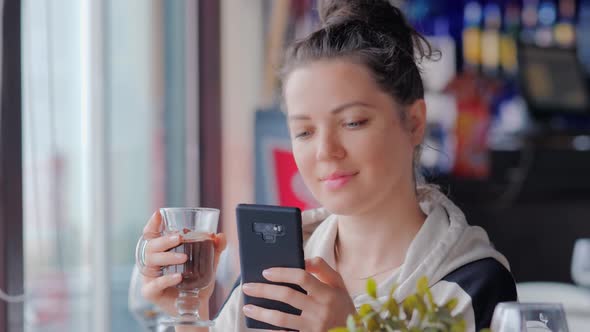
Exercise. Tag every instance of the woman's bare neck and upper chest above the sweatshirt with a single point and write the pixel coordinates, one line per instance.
(379, 238)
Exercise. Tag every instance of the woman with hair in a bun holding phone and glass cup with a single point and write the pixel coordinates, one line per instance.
(356, 115)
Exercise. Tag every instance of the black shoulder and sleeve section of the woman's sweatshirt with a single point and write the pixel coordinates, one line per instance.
(488, 283)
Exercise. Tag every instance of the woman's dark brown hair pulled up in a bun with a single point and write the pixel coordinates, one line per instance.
(372, 32)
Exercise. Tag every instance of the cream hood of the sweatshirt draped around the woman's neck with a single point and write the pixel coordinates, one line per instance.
(444, 243)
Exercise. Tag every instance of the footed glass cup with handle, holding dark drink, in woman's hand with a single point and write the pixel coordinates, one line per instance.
(197, 226)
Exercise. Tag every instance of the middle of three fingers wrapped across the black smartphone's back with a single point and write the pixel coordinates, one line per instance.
(279, 293)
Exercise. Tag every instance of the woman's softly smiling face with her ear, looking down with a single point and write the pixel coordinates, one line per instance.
(350, 146)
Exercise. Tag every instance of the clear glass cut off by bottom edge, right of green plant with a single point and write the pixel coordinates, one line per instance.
(529, 317)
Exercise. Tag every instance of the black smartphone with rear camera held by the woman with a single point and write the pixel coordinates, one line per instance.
(269, 236)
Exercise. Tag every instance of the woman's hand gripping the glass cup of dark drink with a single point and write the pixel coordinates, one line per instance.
(160, 289)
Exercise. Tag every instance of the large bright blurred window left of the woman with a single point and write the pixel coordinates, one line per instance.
(109, 125)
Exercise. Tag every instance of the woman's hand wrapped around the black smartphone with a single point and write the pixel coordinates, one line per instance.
(326, 305)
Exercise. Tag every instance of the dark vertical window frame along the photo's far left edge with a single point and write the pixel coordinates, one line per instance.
(11, 188)
